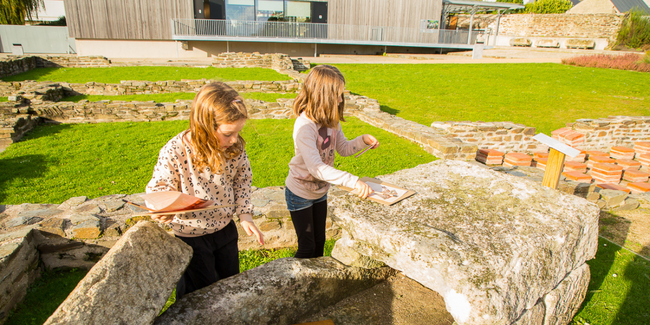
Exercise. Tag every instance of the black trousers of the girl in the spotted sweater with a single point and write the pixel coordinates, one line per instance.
(215, 257)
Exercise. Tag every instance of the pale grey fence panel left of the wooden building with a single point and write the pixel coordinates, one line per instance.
(36, 40)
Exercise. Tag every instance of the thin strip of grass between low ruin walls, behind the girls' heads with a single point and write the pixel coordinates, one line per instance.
(172, 97)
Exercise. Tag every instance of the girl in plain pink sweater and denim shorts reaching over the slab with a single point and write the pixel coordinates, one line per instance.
(316, 135)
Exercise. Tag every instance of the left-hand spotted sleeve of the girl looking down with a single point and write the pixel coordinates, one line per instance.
(165, 172)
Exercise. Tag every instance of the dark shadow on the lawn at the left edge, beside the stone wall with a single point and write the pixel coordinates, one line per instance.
(20, 168)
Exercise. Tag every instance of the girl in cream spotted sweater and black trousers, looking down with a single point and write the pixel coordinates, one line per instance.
(209, 161)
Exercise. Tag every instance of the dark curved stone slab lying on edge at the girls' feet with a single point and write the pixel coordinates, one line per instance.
(279, 292)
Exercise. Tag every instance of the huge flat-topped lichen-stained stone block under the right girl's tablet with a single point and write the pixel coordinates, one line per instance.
(491, 244)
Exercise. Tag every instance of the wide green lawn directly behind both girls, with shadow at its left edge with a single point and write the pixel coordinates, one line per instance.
(108, 158)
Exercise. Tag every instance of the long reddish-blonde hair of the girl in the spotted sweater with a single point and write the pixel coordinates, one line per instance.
(215, 104)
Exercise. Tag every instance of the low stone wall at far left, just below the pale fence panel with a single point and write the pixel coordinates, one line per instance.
(12, 65)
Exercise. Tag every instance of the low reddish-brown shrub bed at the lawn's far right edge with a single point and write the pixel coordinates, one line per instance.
(629, 61)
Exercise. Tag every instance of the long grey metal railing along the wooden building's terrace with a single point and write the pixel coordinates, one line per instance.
(212, 28)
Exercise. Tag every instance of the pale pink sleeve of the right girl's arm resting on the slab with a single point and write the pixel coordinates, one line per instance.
(305, 139)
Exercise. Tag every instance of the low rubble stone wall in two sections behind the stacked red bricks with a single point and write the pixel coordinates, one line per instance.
(600, 134)
